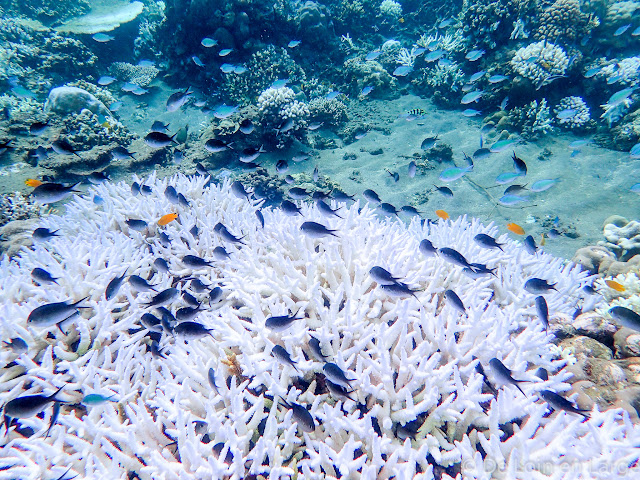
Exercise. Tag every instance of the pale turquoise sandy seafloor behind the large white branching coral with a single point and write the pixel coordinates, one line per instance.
(593, 184)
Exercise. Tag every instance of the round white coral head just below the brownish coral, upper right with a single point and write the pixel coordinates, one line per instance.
(539, 61)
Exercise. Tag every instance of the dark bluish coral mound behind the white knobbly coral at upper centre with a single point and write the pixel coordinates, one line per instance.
(263, 68)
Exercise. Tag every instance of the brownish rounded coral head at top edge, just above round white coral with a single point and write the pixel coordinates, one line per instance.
(563, 20)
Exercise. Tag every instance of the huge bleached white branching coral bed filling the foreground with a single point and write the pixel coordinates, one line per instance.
(411, 359)
